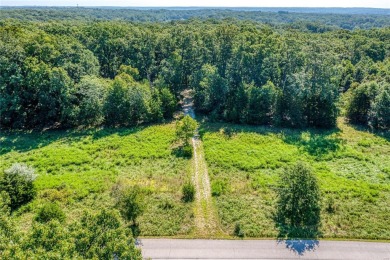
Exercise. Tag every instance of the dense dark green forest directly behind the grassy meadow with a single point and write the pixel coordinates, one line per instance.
(67, 74)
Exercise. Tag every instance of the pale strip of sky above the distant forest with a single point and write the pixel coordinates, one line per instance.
(204, 3)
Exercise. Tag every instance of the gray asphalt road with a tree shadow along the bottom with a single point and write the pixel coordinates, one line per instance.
(262, 249)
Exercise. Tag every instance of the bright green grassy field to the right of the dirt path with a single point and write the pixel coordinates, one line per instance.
(352, 166)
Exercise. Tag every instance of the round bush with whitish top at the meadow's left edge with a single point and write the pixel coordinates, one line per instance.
(18, 182)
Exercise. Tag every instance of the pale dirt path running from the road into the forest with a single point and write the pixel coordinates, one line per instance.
(206, 220)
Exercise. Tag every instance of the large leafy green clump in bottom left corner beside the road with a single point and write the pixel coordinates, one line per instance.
(98, 236)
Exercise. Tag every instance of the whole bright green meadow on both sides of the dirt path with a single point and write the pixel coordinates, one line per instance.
(79, 169)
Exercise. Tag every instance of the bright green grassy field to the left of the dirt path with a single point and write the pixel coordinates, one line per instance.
(78, 169)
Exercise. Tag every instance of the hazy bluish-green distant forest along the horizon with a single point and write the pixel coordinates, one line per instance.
(324, 18)
